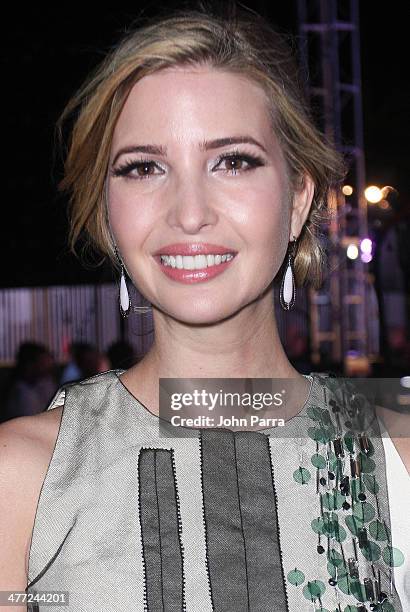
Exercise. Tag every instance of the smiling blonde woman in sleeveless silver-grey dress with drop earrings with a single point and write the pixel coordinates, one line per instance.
(193, 150)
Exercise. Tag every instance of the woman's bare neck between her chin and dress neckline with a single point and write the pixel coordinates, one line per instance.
(246, 345)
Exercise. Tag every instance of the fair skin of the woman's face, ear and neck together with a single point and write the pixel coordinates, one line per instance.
(224, 327)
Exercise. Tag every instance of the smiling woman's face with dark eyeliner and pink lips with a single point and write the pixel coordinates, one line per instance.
(186, 187)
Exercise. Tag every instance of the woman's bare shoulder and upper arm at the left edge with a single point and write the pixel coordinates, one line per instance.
(26, 448)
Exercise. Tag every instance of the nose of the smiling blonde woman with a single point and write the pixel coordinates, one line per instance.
(191, 205)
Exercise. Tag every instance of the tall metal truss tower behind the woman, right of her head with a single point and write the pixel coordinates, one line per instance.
(329, 46)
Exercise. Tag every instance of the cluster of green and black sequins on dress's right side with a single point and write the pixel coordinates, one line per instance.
(362, 512)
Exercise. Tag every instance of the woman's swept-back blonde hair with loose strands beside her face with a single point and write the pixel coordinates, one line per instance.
(244, 44)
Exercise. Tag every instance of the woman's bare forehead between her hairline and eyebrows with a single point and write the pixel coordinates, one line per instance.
(188, 102)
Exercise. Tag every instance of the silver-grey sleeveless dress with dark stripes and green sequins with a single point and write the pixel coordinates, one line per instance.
(293, 518)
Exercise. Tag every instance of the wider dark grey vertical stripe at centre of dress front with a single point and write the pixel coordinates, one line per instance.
(241, 522)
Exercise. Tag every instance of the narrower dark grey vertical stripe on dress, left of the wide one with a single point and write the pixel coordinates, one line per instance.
(159, 530)
